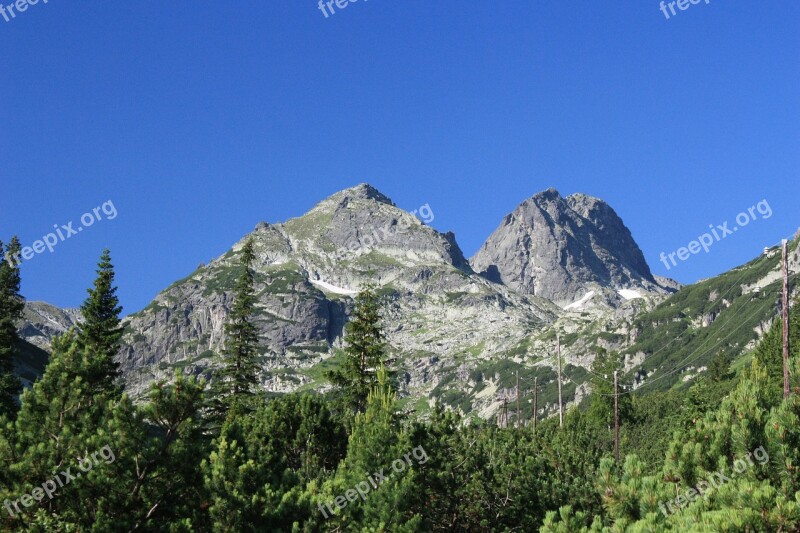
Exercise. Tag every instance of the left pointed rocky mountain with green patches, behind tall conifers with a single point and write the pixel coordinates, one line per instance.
(307, 271)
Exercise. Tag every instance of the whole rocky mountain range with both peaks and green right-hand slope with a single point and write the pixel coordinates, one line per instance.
(455, 335)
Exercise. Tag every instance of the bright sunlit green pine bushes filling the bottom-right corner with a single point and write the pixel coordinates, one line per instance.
(735, 469)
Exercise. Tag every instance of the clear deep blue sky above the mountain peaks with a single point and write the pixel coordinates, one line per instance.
(200, 119)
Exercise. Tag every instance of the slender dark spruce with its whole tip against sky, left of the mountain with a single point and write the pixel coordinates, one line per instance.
(101, 330)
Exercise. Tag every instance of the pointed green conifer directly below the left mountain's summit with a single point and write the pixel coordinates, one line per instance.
(365, 351)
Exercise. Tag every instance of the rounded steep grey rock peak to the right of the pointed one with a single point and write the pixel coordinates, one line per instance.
(563, 248)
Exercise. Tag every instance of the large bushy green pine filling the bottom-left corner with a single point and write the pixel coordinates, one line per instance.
(148, 476)
